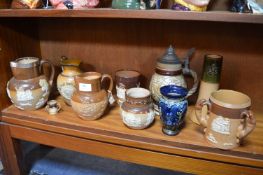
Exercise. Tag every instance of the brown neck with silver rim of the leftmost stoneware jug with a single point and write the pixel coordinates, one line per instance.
(25, 68)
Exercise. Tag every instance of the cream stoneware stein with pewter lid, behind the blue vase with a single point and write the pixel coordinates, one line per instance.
(169, 71)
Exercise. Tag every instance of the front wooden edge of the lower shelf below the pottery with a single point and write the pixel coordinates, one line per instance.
(101, 135)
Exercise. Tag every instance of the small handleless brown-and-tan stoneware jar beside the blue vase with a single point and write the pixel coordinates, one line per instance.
(137, 111)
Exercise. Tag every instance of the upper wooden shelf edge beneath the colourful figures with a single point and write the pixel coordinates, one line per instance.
(166, 14)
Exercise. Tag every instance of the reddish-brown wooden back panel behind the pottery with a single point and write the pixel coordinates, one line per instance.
(109, 45)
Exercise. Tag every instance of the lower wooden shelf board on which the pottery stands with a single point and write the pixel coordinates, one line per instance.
(190, 142)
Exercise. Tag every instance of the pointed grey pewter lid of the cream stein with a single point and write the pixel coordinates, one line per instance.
(169, 61)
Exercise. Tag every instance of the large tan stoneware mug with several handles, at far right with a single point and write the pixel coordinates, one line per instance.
(228, 118)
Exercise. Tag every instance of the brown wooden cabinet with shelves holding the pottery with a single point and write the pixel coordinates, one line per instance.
(107, 40)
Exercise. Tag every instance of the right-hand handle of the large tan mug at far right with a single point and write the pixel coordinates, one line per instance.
(247, 125)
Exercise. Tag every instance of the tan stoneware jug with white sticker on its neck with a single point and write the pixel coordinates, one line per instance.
(89, 101)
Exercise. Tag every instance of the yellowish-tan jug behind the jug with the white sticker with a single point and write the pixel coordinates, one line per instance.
(65, 81)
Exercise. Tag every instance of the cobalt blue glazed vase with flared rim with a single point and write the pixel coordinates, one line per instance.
(173, 107)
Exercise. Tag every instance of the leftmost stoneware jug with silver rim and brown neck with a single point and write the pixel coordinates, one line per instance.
(29, 89)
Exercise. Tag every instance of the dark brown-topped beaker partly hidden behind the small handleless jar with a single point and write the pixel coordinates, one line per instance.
(125, 79)
